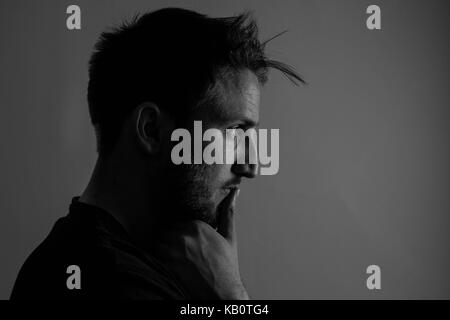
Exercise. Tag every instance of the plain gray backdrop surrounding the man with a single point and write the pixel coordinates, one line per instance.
(364, 150)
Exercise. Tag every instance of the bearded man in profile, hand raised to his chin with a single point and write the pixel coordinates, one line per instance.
(146, 228)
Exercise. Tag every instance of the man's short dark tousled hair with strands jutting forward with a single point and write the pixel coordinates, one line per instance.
(172, 57)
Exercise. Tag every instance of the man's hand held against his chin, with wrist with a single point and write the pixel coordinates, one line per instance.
(205, 260)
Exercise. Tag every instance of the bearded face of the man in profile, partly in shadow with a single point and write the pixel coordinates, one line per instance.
(197, 190)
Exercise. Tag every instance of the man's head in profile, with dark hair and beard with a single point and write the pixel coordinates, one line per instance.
(165, 70)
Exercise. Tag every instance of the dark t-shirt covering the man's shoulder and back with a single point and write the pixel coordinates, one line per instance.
(110, 265)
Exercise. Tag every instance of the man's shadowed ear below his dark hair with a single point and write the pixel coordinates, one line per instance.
(148, 127)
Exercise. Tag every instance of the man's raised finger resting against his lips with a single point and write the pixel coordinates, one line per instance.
(226, 216)
